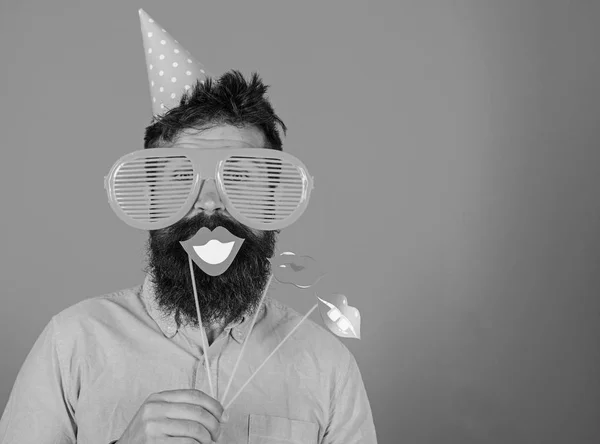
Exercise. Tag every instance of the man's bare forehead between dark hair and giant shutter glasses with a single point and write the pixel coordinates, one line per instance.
(220, 137)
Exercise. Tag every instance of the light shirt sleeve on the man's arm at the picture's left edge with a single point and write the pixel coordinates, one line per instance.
(38, 409)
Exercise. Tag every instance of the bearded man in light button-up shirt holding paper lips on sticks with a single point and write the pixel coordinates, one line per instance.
(129, 367)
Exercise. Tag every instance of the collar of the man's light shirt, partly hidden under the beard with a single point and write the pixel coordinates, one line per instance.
(168, 324)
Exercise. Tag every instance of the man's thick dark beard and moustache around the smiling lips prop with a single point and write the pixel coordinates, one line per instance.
(222, 299)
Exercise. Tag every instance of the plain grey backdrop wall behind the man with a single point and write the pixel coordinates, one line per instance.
(455, 152)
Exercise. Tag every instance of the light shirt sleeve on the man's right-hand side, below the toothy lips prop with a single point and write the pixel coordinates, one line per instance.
(351, 420)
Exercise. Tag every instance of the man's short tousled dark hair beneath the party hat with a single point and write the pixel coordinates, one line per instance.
(231, 100)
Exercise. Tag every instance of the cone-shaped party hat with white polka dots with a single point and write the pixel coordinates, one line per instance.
(172, 70)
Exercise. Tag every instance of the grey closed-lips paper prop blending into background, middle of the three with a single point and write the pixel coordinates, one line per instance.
(301, 271)
